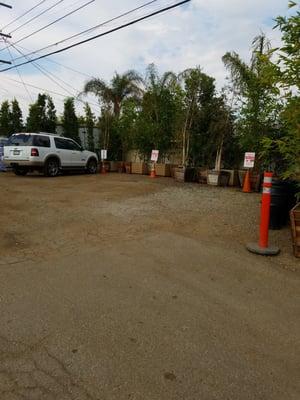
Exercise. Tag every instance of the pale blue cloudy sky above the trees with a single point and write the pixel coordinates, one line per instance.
(198, 33)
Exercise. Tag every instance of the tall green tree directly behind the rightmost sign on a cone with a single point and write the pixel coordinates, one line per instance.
(259, 105)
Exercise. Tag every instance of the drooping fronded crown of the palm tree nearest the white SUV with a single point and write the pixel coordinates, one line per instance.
(121, 87)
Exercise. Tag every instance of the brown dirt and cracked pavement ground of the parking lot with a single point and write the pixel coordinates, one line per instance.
(124, 287)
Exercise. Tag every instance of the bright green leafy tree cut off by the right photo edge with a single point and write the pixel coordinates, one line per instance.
(285, 73)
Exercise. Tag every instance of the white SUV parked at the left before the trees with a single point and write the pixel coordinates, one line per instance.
(47, 153)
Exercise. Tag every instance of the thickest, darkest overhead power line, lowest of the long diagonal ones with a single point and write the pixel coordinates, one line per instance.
(101, 34)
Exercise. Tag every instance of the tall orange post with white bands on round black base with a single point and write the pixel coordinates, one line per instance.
(263, 247)
